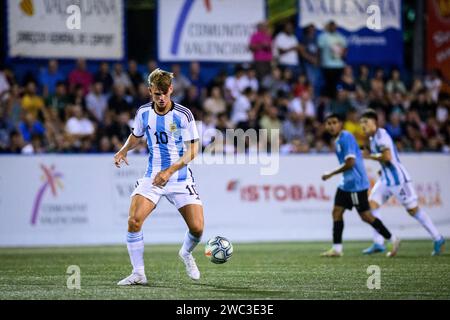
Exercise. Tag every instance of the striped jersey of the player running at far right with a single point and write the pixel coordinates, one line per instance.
(393, 173)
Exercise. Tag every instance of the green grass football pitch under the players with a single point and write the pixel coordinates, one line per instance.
(256, 271)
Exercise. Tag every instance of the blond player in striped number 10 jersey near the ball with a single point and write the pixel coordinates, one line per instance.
(173, 142)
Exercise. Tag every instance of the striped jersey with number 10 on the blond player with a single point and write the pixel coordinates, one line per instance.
(166, 135)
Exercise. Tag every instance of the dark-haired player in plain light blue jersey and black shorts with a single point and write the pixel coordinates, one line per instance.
(353, 189)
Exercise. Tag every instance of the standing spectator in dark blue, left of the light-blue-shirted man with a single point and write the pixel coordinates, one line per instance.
(310, 53)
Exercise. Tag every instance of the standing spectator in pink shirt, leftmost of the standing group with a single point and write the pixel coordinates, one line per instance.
(261, 47)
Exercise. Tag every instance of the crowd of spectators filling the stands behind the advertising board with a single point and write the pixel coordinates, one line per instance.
(289, 87)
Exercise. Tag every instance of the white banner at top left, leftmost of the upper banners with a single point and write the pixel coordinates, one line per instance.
(65, 29)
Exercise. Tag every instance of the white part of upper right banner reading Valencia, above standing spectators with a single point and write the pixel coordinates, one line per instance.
(350, 15)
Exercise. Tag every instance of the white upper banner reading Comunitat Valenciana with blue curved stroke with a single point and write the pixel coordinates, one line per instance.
(207, 30)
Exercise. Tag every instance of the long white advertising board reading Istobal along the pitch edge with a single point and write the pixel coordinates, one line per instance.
(77, 200)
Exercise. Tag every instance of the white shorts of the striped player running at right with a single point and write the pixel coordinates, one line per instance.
(404, 193)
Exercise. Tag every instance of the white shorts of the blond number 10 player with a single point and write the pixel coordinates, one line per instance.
(178, 193)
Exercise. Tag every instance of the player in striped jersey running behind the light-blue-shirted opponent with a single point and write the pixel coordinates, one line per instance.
(394, 181)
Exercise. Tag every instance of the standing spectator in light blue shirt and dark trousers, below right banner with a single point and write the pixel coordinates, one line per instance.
(333, 46)
